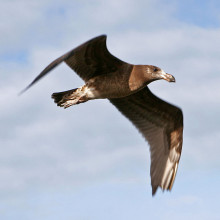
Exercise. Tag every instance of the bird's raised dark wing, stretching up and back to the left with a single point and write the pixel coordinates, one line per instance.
(87, 60)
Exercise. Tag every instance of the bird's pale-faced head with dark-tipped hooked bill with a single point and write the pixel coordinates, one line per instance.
(155, 73)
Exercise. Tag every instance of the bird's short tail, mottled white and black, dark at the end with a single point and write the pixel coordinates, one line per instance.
(67, 98)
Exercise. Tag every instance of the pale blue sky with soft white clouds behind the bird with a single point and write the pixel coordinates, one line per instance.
(88, 161)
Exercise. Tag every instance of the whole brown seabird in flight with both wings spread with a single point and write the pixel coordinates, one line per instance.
(125, 85)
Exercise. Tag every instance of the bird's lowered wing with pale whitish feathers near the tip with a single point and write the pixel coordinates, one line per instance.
(162, 126)
